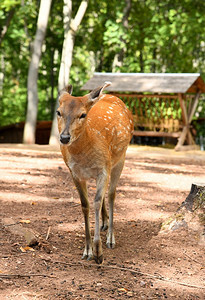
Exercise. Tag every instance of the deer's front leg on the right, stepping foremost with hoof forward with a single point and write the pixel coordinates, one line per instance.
(102, 181)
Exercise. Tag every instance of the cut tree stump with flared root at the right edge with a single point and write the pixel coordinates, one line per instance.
(191, 213)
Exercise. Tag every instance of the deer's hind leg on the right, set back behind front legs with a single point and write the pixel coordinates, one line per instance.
(114, 178)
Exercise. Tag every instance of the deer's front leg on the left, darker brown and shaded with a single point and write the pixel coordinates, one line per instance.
(82, 190)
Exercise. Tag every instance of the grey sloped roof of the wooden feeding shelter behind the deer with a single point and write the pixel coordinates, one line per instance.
(148, 82)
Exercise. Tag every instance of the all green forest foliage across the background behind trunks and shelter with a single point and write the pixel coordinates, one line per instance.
(162, 36)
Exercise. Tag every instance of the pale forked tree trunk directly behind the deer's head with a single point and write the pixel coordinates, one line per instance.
(70, 28)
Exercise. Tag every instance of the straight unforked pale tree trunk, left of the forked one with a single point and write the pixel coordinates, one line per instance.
(32, 108)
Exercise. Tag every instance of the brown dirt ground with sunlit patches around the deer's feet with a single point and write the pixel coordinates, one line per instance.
(36, 190)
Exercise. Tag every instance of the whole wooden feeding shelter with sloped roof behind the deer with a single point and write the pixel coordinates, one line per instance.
(163, 104)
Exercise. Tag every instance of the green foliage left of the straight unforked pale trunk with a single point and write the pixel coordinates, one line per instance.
(14, 58)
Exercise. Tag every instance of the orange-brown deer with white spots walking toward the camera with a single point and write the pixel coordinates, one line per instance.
(94, 131)
